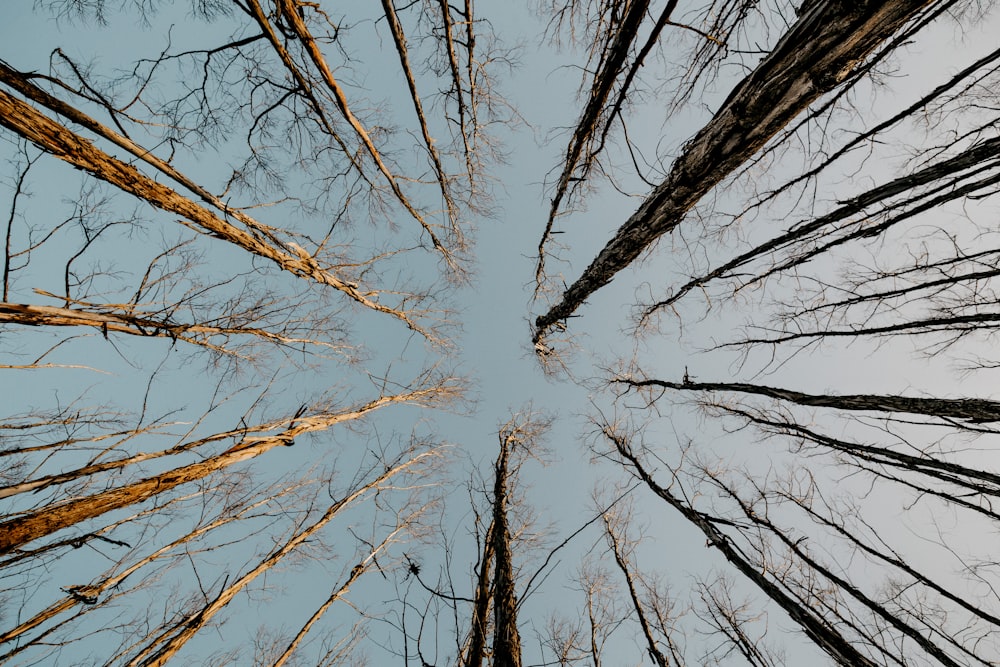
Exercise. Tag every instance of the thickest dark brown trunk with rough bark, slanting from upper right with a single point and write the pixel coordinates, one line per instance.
(817, 54)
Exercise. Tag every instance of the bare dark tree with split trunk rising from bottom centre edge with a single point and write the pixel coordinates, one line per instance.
(477, 606)
